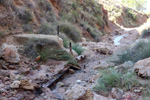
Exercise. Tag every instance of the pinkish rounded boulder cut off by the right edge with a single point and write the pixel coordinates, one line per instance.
(142, 67)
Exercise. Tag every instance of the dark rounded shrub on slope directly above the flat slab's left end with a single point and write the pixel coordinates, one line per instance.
(25, 15)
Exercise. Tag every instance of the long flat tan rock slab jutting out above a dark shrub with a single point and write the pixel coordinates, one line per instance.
(23, 38)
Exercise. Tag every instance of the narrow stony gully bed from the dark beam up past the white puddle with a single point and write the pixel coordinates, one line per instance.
(97, 57)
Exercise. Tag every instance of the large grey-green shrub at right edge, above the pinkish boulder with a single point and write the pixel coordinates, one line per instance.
(139, 50)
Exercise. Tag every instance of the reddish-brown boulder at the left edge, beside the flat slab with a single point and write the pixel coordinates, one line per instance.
(9, 53)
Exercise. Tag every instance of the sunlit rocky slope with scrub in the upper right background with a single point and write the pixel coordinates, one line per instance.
(123, 15)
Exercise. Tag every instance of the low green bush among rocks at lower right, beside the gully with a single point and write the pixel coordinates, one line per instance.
(111, 78)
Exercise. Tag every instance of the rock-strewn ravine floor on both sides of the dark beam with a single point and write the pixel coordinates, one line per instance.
(21, 78)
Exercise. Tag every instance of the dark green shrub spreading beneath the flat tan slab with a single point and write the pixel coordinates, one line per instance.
(46, 49)
